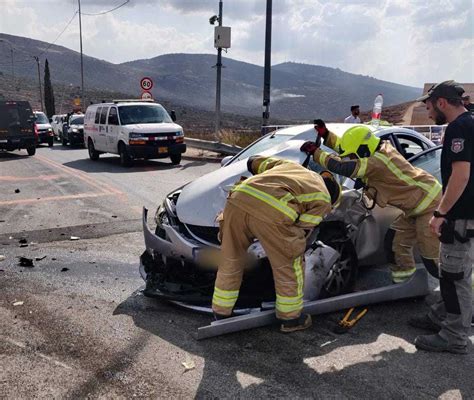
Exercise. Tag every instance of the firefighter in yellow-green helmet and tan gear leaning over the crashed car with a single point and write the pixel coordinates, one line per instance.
(389, 179)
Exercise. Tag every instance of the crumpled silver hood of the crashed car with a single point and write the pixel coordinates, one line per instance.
(201, 200)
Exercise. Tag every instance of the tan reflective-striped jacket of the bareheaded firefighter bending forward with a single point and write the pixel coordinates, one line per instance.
(282, 192)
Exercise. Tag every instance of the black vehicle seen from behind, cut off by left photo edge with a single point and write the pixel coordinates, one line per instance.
(17, 126)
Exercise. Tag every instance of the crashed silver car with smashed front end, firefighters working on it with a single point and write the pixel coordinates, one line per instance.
(185, 230)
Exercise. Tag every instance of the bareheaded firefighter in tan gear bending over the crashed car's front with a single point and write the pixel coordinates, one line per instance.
(278, 206)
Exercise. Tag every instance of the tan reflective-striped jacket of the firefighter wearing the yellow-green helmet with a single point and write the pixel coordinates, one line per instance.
(393, 179)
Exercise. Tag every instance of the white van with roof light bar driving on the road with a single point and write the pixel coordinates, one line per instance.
(133, 129)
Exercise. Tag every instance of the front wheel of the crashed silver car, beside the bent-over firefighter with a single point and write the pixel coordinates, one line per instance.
(343, 273)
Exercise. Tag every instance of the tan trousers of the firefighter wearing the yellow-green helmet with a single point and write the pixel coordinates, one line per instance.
(411, 231)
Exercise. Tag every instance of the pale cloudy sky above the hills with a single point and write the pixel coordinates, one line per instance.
(404, 41)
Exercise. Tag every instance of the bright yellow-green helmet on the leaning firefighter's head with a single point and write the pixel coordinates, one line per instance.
(358, 140)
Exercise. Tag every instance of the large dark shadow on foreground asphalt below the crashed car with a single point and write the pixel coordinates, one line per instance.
(374, 360)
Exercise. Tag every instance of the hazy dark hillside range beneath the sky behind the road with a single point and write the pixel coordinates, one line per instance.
(299, 91)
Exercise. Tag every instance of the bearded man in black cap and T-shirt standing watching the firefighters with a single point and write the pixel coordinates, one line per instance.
(453, 222)
